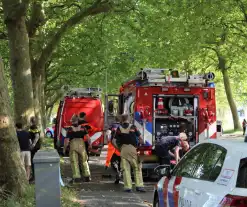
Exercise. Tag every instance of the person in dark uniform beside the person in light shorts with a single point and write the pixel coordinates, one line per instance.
(34, 132)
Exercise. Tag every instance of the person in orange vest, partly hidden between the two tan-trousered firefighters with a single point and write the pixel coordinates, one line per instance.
(113, 154)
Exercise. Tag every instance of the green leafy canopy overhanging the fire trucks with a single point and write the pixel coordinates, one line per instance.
(136, 34)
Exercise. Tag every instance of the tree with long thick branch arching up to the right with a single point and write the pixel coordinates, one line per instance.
(39, 61)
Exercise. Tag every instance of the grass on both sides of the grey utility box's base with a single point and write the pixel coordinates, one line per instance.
(68, 199)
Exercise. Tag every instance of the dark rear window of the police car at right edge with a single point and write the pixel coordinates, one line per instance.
(242, 174)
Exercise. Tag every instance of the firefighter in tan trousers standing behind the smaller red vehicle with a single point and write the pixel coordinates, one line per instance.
(75, 137)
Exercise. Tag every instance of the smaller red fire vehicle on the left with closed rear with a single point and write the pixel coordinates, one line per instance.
(78, 100)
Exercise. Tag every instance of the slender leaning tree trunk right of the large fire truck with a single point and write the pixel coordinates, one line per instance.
(230, 99)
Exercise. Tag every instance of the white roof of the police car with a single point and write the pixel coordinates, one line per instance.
(235, 145)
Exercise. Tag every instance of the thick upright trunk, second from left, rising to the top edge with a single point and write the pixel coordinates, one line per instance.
(19, 60)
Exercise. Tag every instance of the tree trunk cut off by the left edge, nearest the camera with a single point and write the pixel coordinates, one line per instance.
(12, 173)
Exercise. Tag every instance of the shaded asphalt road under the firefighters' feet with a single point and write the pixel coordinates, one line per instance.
(102, 192)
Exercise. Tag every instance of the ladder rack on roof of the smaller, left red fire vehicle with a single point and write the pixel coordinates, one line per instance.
(82, 92)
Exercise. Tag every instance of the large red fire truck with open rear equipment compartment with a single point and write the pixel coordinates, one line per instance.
(158, 100)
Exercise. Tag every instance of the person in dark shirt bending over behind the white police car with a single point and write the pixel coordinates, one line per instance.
(168, 147)
